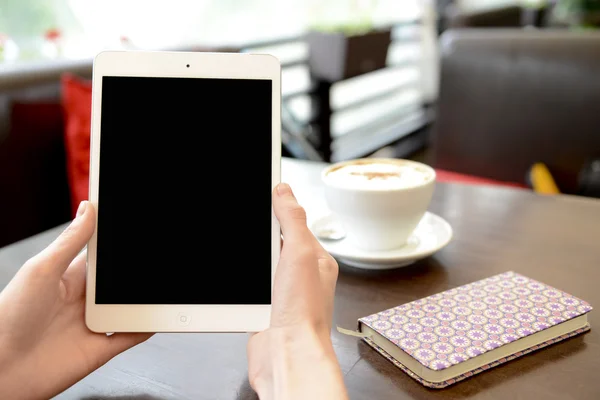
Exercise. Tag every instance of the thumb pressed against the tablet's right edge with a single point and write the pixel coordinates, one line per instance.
(291, 215)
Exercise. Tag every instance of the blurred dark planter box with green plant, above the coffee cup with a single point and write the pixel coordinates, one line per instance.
(341, 50)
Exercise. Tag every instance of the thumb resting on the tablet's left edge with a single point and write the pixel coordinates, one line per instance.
(58, 255)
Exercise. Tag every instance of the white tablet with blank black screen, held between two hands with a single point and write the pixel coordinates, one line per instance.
(185, 152)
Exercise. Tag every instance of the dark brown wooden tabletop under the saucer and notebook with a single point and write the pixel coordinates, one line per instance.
(551, 239)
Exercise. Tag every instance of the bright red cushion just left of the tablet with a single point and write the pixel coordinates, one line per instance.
(77, 104)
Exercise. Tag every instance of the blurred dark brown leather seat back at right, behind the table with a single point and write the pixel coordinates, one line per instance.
(513, 97)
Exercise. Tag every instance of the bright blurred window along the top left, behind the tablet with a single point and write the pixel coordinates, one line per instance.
(49, 29)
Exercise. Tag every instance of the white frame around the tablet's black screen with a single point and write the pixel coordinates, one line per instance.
(179, 318)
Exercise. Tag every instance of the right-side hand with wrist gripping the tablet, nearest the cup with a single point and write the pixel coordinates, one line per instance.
(294, 358)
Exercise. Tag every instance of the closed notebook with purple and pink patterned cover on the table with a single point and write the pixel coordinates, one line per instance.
(450, 336)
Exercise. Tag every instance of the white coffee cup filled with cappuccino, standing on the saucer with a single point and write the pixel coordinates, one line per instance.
(378, 201)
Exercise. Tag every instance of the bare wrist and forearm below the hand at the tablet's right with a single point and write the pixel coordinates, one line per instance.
(300, 367)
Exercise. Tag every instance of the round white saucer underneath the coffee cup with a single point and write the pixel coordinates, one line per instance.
(431, 235)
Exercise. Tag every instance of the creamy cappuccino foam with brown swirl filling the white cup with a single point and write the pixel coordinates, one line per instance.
(379, 175)
